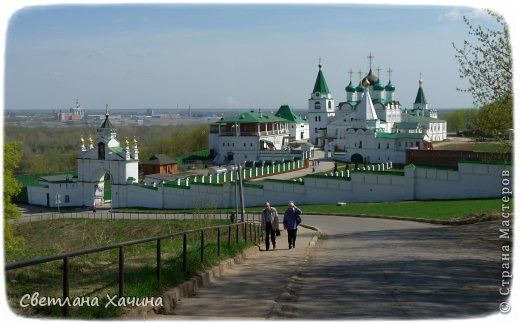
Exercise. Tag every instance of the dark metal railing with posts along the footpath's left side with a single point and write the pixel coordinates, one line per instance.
(255, 234)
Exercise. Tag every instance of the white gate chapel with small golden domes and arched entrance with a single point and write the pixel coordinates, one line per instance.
(103, 159)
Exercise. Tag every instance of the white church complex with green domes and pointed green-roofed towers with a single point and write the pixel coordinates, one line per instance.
(371, 125)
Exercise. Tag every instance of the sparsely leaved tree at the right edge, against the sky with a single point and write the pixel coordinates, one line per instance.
(487, 64)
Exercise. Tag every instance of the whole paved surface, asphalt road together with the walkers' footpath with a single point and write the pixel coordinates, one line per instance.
(363, 268)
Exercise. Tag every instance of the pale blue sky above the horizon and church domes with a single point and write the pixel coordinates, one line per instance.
(226, 56)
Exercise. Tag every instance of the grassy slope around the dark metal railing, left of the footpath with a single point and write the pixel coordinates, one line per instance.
(96, 275)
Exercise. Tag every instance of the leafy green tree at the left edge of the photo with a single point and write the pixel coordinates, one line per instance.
(12, 157)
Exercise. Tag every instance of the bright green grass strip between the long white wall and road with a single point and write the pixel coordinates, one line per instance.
(440, 209)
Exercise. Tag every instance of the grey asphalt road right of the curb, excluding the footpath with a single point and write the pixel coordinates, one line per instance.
(386, 269)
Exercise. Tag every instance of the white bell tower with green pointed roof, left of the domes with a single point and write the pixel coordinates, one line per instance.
(321, 109)
